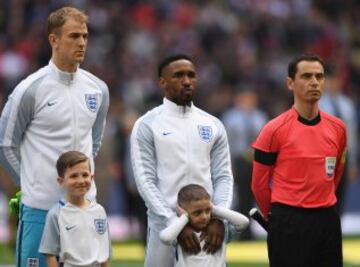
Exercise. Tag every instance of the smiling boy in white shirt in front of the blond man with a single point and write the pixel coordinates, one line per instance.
(76, 229)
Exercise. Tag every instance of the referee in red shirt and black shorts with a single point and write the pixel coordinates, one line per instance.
(299, 160)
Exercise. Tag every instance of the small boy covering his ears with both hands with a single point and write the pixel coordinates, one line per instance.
(196, 209)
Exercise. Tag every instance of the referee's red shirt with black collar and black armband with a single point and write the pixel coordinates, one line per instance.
(298, 162)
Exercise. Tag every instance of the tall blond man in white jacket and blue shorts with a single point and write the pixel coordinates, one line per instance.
(58, 108)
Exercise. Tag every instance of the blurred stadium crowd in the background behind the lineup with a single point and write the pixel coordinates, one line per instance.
(238, 45)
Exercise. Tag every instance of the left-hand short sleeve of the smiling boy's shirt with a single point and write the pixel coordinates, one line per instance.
(50, 241)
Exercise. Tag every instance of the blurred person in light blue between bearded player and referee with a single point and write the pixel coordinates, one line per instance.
(243, 122)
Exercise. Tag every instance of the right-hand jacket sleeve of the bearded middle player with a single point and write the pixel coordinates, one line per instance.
(221, 172)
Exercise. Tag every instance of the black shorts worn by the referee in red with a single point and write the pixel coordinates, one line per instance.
(302, 237)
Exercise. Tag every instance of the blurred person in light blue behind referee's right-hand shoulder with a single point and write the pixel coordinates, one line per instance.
(335, 102)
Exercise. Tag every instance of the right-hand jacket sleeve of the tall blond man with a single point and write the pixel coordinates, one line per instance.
(99, 125)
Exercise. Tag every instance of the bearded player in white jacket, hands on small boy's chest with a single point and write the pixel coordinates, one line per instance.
(173, 145)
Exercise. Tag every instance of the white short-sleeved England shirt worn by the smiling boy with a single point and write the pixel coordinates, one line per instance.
(80, 237)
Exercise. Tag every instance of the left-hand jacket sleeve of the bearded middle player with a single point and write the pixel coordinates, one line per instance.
(143, 160)
